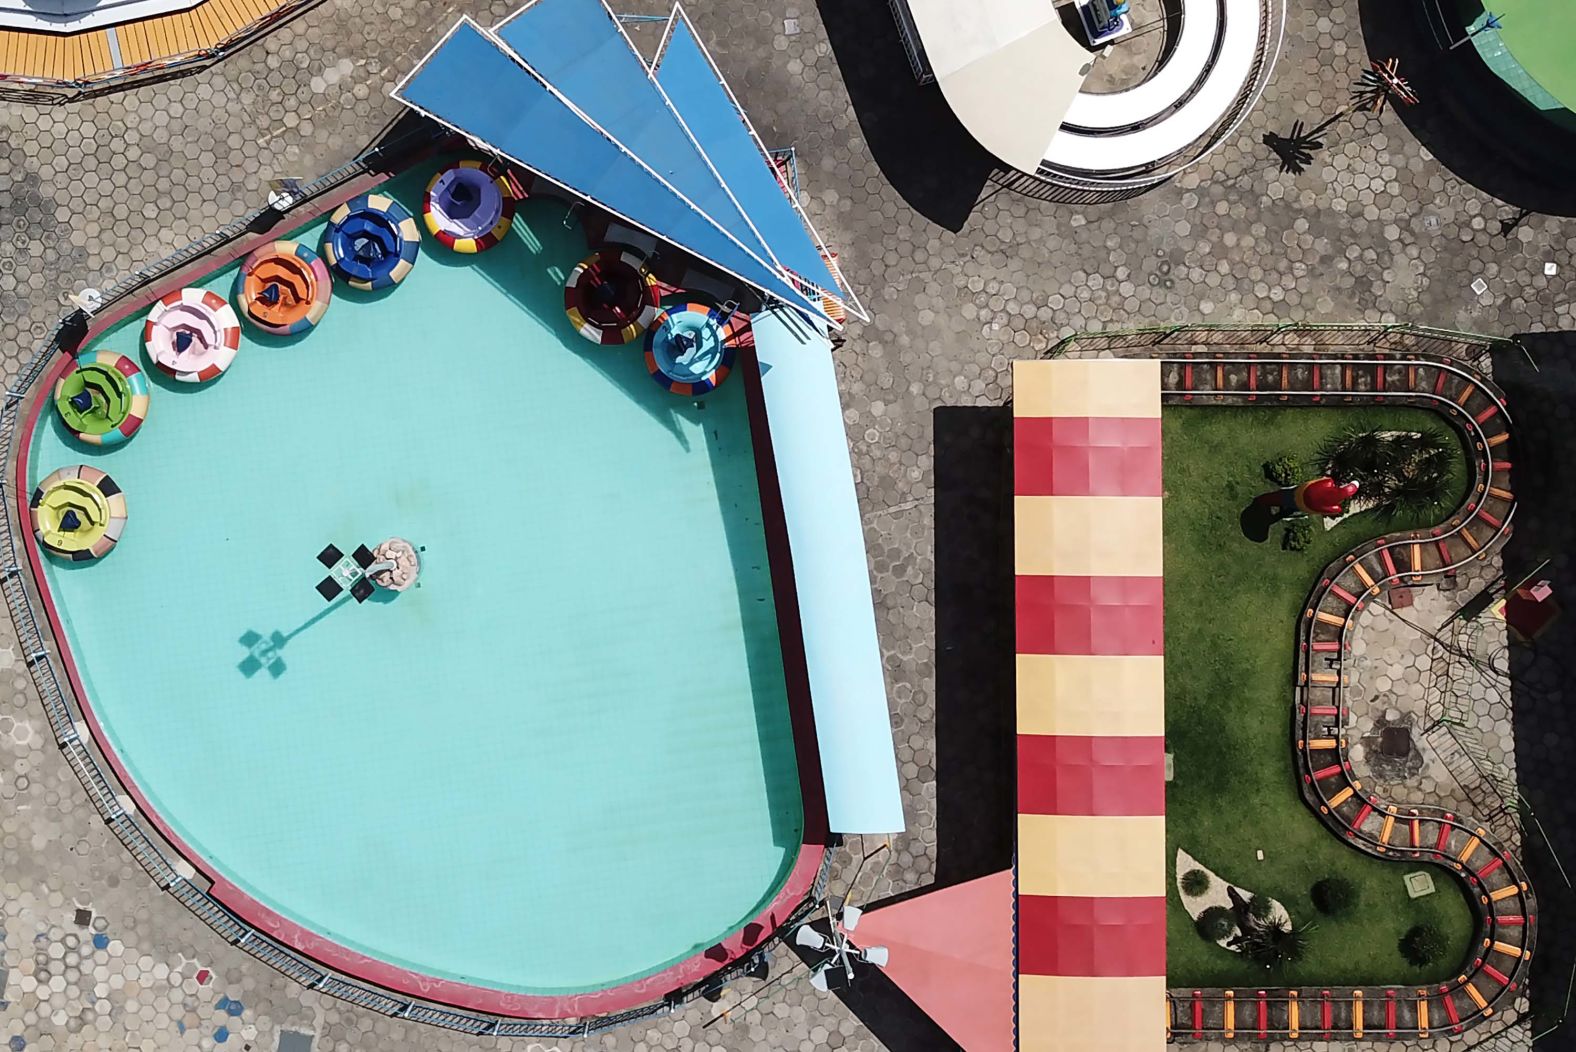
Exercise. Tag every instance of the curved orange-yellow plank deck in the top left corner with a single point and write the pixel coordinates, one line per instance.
(94, 54)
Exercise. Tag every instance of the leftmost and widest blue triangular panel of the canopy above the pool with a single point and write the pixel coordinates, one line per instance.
(522, 119)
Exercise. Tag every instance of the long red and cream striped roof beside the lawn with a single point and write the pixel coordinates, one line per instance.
(1091, 876)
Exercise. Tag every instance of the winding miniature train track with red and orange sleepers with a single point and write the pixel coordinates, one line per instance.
(1489, 980)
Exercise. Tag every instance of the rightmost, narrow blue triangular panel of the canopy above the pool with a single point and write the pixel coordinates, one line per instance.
(719, 125)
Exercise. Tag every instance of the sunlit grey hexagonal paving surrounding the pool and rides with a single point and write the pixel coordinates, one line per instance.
(1375, 231)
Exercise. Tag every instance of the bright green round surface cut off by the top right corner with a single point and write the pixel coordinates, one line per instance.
(1539, 37)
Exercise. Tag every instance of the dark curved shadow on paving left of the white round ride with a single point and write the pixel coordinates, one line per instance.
(918, 144)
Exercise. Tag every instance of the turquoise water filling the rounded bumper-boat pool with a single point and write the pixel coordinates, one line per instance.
(565, 760)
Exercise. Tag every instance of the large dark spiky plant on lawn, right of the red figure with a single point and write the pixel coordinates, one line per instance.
(1397, 473)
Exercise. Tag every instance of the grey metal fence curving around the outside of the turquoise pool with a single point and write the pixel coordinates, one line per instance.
(65, 716)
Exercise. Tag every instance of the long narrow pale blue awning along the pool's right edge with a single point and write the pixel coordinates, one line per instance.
(827, 543)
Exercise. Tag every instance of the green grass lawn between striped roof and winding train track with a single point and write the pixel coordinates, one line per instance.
(1232, 613)
